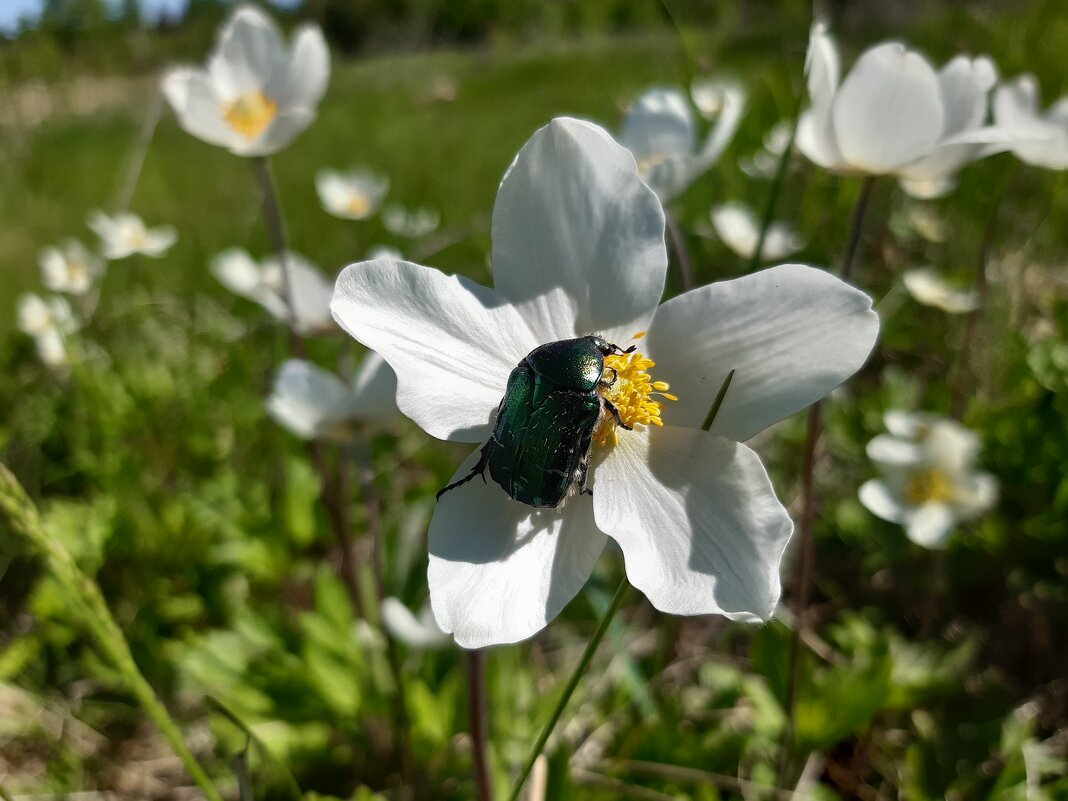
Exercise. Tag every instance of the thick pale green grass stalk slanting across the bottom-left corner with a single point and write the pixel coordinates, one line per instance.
(23, 517)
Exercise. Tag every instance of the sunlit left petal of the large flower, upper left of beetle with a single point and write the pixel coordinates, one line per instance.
(451, 342)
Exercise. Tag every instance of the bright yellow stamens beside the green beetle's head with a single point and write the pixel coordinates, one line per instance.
(627, 385)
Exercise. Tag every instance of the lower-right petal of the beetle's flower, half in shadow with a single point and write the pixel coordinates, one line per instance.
(697, 517)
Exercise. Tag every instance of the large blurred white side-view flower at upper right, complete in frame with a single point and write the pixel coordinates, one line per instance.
(894, 115)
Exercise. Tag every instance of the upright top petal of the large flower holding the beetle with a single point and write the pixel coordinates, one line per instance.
(578, 239)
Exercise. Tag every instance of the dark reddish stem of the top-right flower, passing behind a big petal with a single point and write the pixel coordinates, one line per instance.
(807, 562)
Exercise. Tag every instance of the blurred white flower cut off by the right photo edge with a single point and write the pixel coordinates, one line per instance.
(1017, 111)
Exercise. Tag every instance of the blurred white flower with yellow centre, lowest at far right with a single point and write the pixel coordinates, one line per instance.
(929, 480)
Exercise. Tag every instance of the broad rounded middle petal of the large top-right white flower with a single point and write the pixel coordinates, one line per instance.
(889, 111)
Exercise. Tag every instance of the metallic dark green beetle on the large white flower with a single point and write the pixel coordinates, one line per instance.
(540, 449)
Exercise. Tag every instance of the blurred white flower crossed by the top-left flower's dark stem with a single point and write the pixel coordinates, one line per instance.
(264, 284)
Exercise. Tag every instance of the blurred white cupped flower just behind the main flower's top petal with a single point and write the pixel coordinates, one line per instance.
(661, 132)
